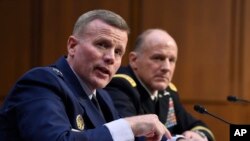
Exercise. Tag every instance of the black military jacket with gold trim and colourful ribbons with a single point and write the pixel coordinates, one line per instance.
(131, 98)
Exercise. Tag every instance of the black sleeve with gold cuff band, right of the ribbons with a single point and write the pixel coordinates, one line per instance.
(187, 121)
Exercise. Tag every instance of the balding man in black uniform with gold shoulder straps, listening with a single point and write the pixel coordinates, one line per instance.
(144, 86)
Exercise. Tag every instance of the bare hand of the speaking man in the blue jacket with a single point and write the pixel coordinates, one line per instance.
(148, 126)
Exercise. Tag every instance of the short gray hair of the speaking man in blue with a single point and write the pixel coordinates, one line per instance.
(106, 16)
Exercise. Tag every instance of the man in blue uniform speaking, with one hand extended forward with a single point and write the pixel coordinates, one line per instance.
(54, 103)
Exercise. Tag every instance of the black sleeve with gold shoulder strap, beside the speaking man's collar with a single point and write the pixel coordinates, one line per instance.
(124, 96)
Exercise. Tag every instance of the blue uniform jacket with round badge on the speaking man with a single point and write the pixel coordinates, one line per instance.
(49, 104)
